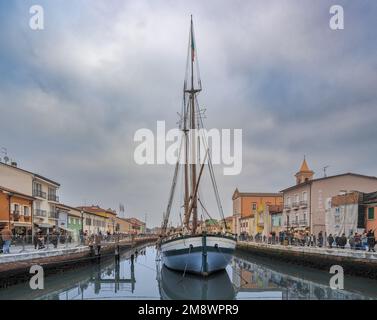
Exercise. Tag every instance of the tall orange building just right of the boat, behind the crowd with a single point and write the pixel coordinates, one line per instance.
(249, 209)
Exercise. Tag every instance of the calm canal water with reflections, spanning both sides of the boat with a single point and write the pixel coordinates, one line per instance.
(246, 277)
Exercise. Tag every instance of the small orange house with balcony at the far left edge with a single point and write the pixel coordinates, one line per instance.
(15, 211)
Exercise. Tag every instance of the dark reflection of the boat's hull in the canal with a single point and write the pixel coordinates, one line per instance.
(173, 285)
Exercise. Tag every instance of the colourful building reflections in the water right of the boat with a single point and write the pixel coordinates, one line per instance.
(257, 281)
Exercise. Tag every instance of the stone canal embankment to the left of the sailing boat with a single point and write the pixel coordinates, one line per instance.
(15, 268)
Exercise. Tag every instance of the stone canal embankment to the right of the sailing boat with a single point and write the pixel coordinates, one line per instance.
(354, 262)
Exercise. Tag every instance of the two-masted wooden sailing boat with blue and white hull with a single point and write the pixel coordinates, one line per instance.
(194, 250)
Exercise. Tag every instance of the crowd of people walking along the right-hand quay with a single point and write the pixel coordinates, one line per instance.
(356, 241)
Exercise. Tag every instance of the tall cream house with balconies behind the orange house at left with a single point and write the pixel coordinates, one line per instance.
(44, 214)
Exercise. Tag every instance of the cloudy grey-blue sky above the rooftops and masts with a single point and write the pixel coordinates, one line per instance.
(73, 95)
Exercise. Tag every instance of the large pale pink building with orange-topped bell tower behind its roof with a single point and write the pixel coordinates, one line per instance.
(306, 202)
